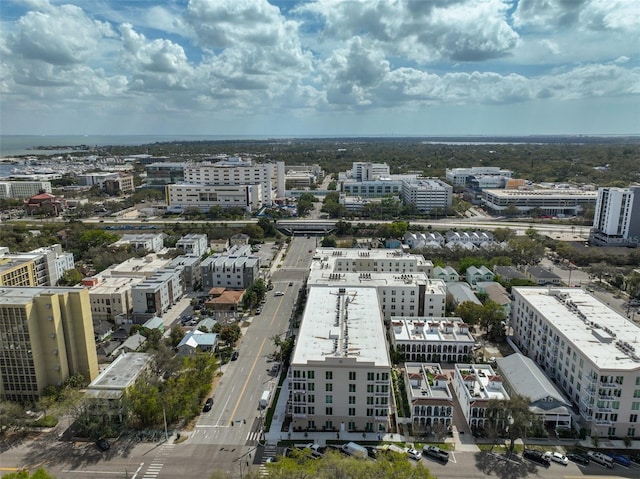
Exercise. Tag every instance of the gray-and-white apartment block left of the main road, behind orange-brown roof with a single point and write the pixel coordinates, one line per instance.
(238, 268)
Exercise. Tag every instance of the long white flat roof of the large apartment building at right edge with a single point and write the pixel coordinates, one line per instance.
(605, 337)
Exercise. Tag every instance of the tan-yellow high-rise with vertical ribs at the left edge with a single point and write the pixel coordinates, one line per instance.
(46, 336)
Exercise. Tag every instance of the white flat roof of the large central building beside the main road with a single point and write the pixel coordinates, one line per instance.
(345, 324)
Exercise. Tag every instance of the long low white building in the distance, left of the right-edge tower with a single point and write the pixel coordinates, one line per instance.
(551, 201)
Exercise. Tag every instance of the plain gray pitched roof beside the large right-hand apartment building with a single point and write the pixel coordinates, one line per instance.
(527, 379)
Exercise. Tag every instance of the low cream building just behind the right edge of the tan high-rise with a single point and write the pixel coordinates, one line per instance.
(110, 296)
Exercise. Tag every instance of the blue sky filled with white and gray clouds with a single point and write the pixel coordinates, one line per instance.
(319, 67)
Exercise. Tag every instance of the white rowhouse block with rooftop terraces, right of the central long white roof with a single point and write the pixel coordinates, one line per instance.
(432, 339)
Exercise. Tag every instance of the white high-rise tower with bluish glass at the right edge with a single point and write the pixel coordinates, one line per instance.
(617, 217)
